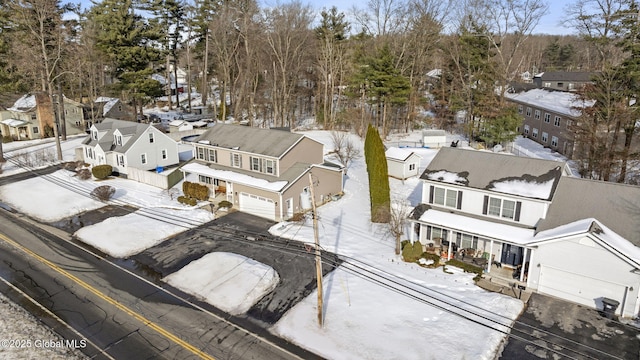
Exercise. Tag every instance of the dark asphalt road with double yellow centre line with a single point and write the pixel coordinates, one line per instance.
(124, 315)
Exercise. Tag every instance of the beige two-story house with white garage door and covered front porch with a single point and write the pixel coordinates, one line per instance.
(263, 172)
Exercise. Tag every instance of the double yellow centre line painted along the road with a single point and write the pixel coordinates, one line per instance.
(160, 330)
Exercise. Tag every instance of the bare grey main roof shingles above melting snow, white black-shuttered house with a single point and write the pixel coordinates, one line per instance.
(483, 169)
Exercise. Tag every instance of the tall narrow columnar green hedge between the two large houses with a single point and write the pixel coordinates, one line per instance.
(379, 192)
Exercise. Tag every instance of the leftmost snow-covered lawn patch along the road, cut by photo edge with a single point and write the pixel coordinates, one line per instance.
(45, 200)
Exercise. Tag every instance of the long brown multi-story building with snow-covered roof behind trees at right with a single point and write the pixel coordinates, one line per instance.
(548, 116)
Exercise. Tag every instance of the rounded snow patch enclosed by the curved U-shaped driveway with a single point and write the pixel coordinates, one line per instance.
(230, 282)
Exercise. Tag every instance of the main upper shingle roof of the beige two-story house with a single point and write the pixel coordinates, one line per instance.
(267, 142)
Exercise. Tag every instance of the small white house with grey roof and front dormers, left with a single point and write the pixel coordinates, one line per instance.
(126, 144)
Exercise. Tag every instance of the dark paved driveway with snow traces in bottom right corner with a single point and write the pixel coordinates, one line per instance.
(557, 329)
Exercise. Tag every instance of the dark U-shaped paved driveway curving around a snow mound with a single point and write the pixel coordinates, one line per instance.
(294, 264)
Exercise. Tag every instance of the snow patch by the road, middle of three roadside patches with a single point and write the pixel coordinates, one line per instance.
(128, 235)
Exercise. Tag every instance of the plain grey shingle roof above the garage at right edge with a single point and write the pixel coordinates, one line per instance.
(615, 205)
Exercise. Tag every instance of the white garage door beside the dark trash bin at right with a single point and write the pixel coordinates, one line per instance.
(580, 289)
